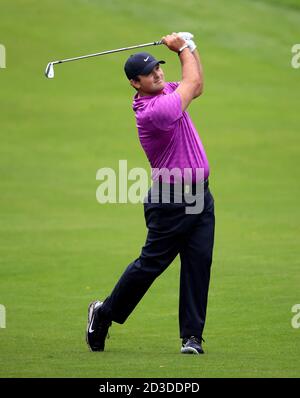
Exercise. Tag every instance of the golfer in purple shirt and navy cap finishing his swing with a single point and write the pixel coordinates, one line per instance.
(170, 141)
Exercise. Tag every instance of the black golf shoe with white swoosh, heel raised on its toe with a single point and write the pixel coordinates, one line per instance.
(97, 327)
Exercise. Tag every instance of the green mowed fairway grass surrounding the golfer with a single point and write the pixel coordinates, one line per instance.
(60, 249)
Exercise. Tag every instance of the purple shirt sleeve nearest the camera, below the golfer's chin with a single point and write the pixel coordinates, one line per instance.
(166, 110)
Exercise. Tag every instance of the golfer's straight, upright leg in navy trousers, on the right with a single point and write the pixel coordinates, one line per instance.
(196, 259)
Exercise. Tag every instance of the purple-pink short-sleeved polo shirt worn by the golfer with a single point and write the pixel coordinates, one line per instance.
(168, 136)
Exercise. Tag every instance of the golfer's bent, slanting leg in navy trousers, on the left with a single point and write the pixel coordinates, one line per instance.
(161, 247)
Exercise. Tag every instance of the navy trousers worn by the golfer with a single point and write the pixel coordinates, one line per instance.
(171, 231)
